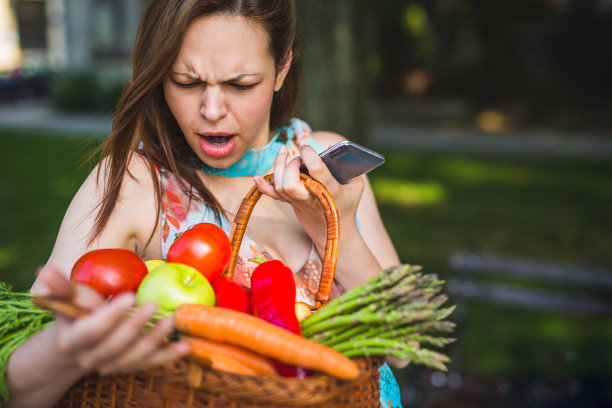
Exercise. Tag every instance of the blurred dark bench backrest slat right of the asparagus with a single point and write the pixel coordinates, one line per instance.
(532, 284)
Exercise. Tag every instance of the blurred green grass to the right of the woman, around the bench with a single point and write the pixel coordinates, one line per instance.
(556, 210)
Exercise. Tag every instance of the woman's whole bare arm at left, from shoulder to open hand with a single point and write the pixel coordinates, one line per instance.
(105, 340)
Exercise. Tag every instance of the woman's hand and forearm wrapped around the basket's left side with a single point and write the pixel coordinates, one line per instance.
(44, 367)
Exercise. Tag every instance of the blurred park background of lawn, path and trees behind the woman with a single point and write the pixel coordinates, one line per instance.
(494, 117)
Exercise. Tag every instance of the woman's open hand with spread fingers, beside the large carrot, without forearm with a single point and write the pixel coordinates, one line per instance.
(107, 340)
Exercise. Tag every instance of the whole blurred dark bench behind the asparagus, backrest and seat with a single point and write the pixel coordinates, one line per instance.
(515, 282)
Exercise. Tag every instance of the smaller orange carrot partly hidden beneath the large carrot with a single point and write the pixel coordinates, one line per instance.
(207, 349)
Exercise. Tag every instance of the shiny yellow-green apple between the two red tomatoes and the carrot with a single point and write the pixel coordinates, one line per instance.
(172, 284)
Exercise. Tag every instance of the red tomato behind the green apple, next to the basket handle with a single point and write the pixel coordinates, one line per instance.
(205, 247)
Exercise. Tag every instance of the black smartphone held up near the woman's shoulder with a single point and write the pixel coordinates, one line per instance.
(347, 160)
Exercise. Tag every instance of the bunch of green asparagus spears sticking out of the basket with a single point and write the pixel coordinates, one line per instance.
(395, 314)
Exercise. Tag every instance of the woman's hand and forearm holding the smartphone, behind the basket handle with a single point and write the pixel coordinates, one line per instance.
(357, 253)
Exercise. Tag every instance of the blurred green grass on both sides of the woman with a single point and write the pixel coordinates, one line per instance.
(432, 205)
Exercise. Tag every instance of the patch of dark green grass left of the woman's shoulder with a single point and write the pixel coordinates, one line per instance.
(39, 174)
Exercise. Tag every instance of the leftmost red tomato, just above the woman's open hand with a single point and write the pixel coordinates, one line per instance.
(109, 271)
